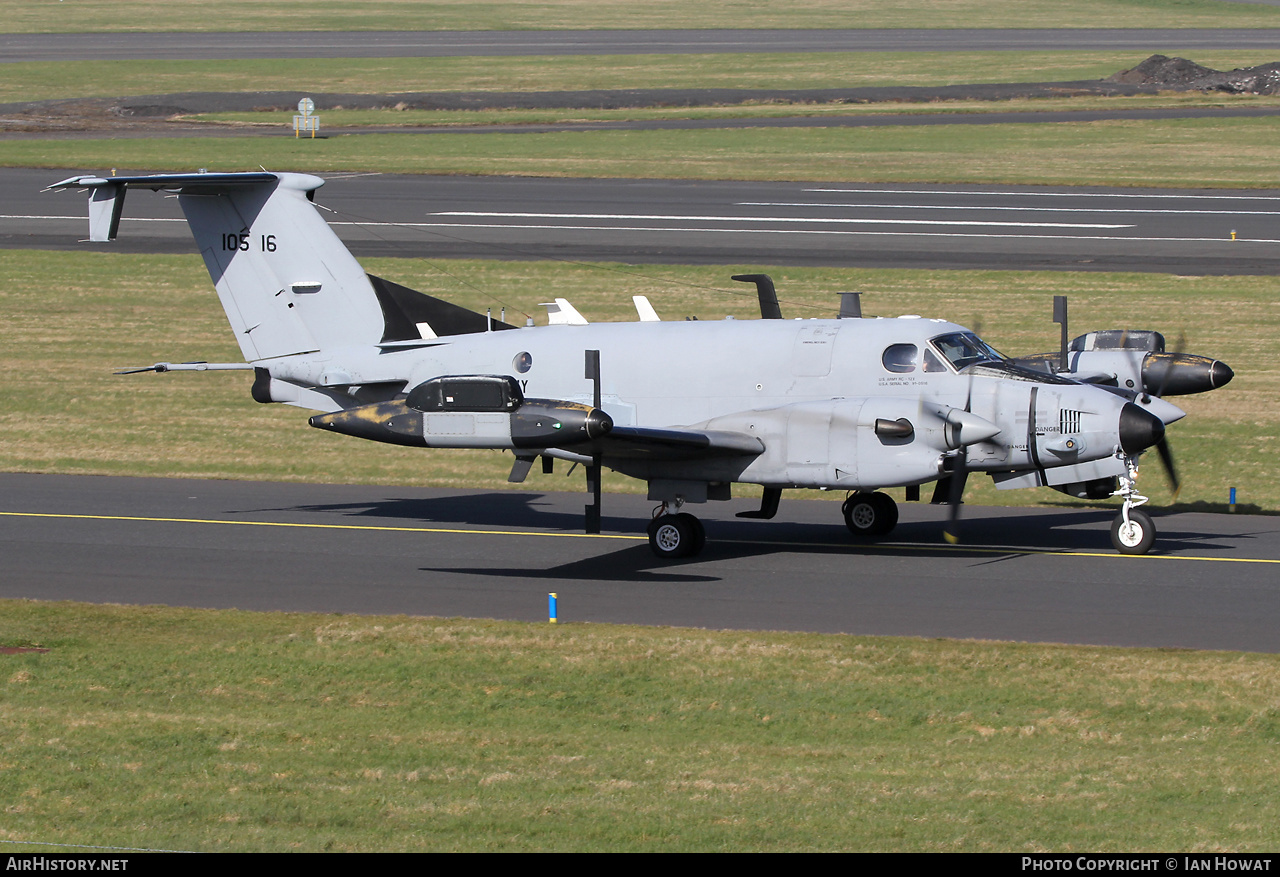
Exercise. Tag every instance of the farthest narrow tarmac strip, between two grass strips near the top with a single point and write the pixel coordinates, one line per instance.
(451, 44)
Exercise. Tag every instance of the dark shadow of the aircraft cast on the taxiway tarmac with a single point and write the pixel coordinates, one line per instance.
(999, 529)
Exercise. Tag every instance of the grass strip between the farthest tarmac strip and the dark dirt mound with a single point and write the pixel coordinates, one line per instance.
(74, 79)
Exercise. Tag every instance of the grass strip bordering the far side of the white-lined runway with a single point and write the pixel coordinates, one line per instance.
(1191, 153)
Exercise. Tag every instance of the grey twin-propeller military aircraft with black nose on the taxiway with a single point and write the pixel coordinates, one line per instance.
(691, 408)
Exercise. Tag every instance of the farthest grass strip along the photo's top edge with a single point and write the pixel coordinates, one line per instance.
(108, 16)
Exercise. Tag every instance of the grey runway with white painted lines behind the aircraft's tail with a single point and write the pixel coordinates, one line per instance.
(738, 225)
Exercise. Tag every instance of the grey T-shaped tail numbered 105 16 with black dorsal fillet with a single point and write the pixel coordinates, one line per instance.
(286, 281)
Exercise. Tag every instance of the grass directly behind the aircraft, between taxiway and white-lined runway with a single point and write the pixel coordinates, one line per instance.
(75, 318)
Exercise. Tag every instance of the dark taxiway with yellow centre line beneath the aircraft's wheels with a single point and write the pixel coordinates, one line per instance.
(1037, 575)
